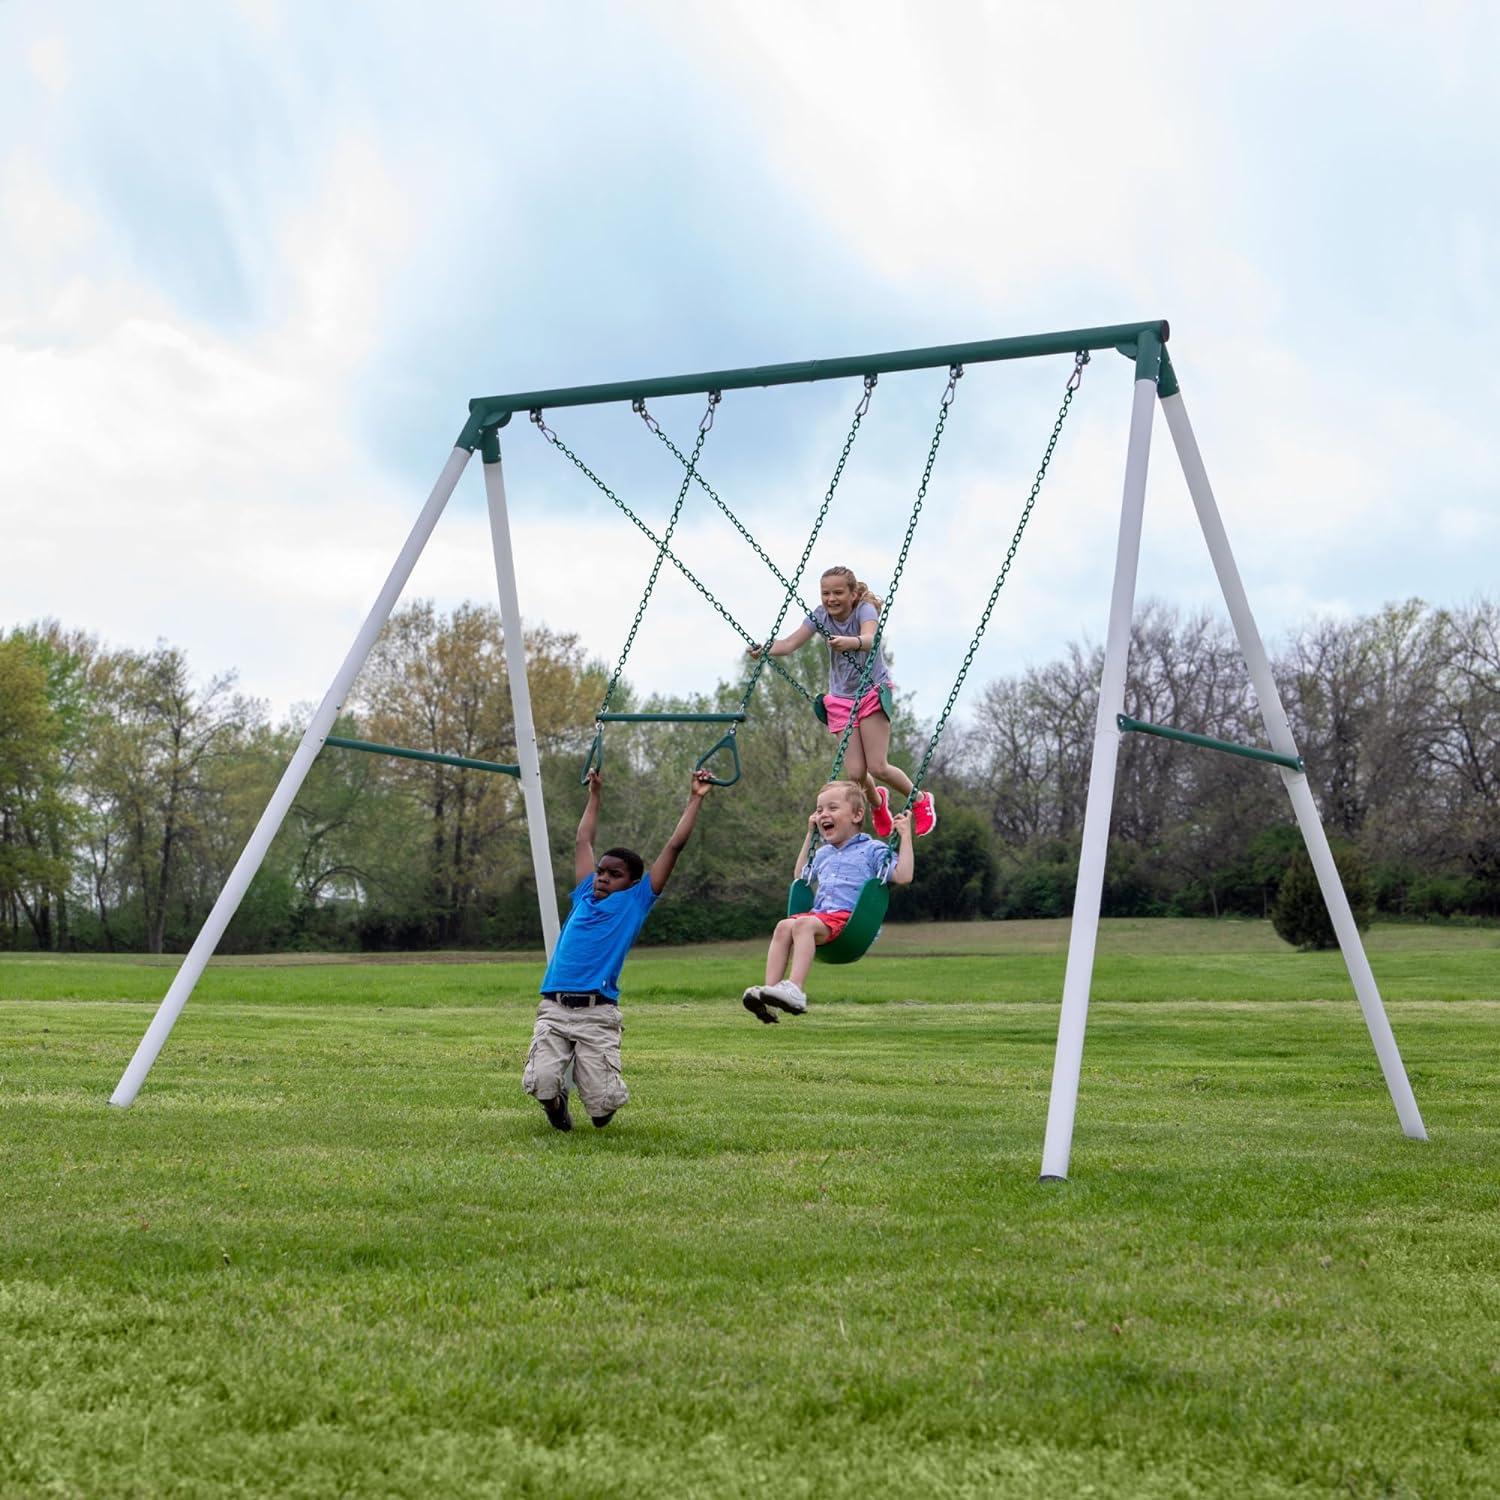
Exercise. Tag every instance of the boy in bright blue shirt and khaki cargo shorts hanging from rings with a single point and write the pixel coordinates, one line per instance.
(578, 1021)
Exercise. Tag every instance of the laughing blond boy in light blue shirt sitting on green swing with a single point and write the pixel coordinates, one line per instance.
(847, 860)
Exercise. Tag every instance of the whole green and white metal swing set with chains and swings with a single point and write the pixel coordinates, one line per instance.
(1144, 346)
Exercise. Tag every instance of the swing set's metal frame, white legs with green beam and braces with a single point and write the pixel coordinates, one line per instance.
(1156, 382)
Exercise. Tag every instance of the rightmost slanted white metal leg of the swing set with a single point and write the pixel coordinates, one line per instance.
(1282, 740)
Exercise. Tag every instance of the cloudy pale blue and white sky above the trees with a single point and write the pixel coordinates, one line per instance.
(256, 257)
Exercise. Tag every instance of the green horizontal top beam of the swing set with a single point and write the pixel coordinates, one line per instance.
(488, 413)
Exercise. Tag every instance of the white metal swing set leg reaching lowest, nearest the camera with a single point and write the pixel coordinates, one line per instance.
(1069, 1061)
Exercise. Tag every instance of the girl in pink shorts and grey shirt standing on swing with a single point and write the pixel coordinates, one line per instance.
(847, 620)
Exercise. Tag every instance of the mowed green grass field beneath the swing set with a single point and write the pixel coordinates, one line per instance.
(334, 1249)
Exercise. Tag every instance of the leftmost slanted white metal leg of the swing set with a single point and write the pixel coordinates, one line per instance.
(287, 790)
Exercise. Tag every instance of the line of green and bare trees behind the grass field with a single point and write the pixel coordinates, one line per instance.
(128, 787)
